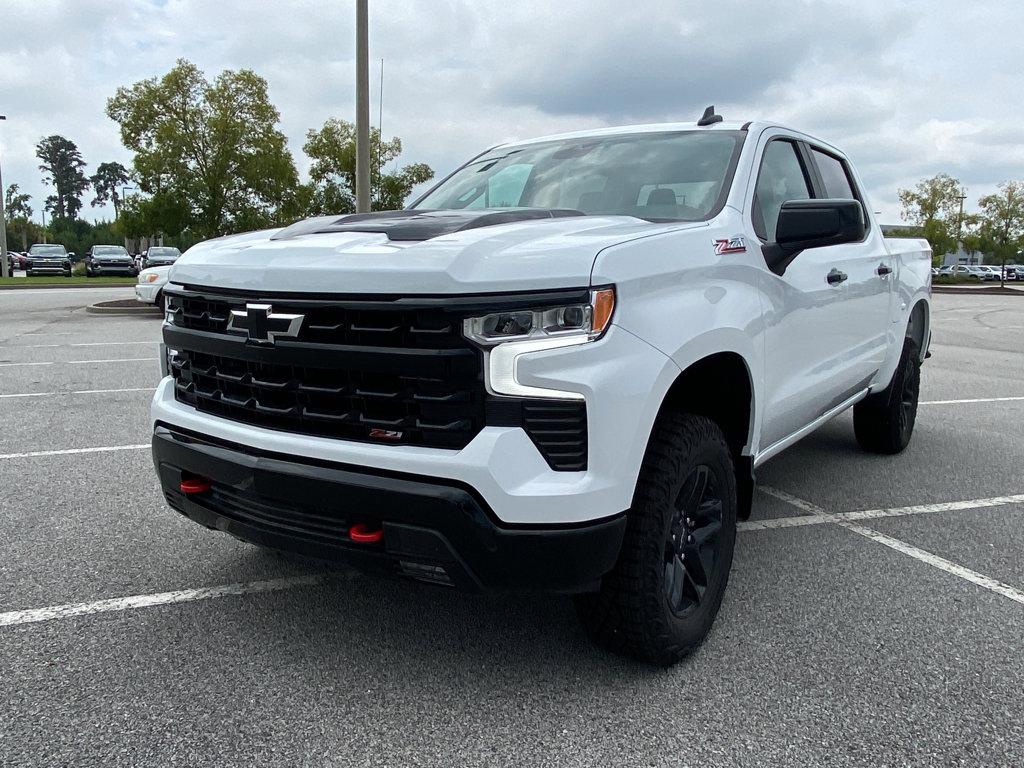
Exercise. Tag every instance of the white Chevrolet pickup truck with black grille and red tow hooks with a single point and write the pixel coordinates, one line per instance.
(558, 370)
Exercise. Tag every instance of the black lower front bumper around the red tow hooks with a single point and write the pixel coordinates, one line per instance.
(435, 530)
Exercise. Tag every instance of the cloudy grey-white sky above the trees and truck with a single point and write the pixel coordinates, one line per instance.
(909, 89)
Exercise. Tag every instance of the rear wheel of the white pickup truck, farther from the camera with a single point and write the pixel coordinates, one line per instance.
(884, 422)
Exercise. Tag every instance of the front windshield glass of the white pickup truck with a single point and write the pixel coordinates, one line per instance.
(657, 177)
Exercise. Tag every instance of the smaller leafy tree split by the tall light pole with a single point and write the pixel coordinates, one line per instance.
(333, 151)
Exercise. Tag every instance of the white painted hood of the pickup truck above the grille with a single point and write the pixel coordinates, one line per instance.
(540, 253)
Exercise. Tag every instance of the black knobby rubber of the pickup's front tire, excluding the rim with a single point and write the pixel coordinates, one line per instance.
(631, 614)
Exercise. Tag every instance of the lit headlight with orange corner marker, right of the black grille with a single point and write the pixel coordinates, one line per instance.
(506, 336)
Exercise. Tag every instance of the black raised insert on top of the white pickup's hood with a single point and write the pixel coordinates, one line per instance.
(420, 225)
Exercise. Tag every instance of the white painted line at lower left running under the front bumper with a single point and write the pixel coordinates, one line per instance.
(26, 617)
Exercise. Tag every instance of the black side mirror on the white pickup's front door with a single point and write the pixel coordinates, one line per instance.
(814, 224)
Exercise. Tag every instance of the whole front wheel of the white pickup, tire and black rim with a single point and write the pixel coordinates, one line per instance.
(661, 600)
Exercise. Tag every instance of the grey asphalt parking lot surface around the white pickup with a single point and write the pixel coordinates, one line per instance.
(894, 635)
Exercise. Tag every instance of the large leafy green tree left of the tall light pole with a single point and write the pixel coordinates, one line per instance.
(214, 147)
